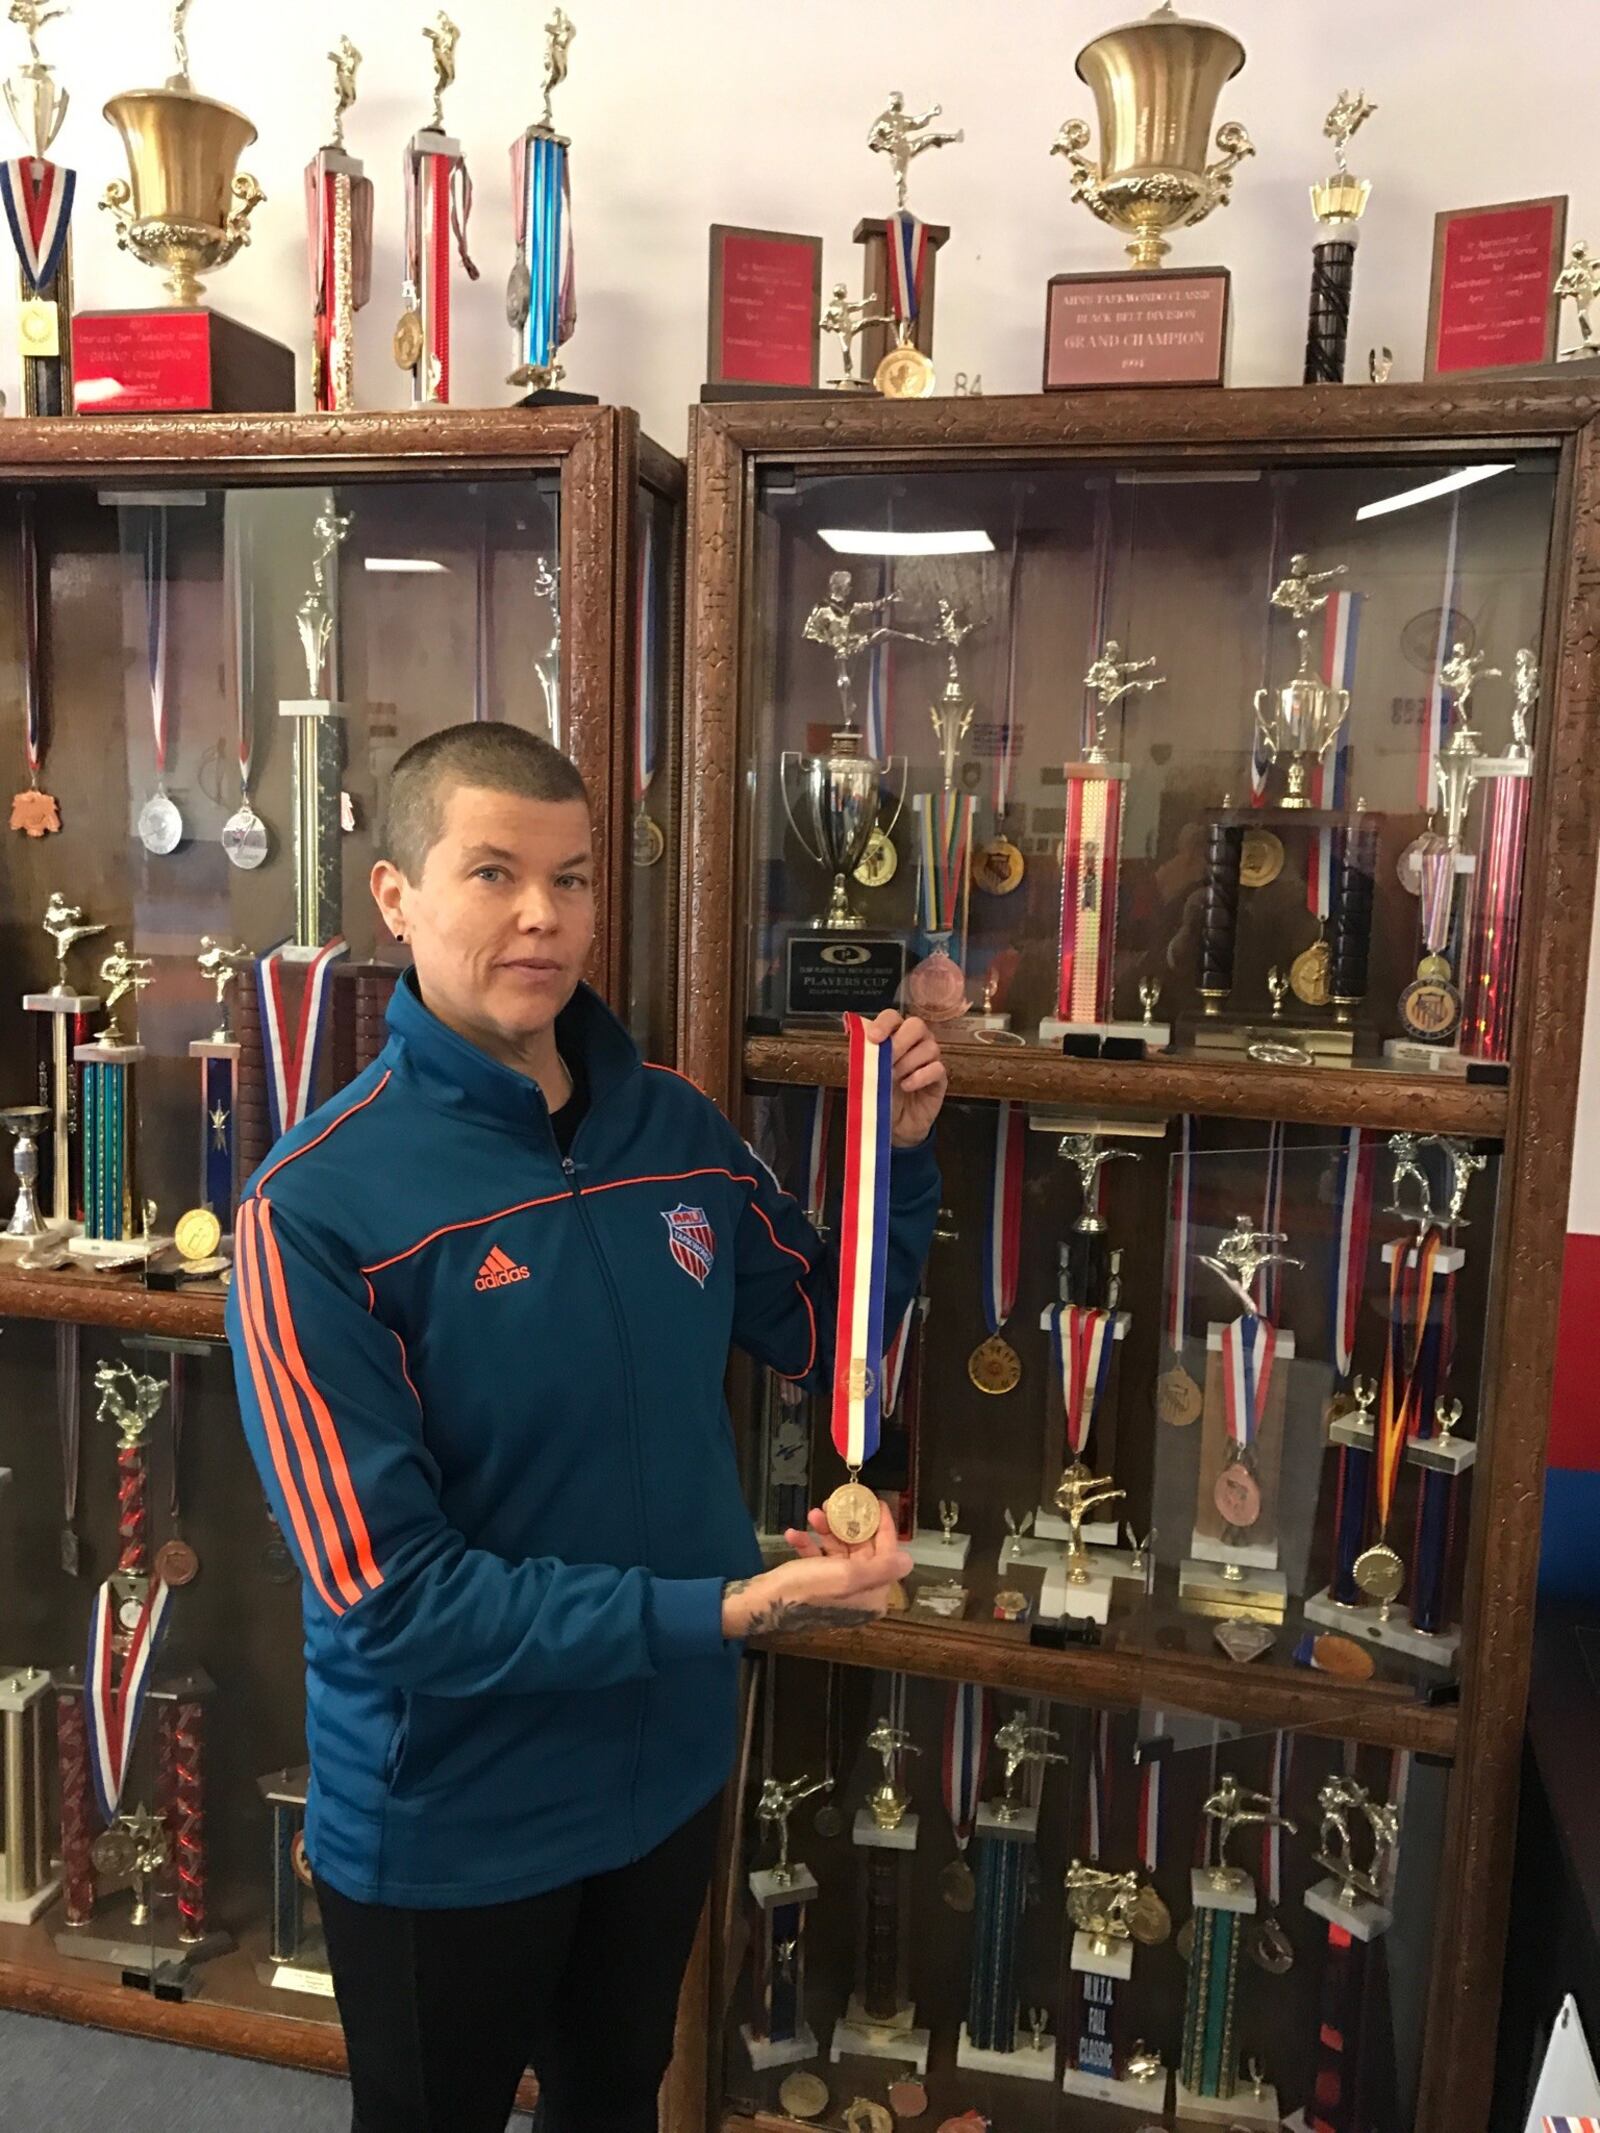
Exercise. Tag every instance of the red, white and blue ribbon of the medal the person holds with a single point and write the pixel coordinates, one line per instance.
(863, 1249)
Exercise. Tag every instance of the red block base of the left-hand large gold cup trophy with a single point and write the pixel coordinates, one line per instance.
(178, 362)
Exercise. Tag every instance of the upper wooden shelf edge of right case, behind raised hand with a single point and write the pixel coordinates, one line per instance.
(1311, 1095)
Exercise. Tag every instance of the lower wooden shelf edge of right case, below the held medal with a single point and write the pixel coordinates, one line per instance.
(1386, 1714)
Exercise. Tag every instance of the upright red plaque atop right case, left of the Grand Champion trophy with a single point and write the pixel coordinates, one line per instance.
(765, 308)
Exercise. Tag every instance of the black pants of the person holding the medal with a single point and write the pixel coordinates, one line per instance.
(443, 2010)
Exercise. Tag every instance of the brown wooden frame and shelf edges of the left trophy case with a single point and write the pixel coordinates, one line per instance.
(601, 460)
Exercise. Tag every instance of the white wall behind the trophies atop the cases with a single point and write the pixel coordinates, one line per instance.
(694, 112)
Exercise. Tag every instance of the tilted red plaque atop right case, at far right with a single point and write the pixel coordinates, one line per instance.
(1490, 306)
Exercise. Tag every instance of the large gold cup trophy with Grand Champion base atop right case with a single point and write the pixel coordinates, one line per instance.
(1157, 84)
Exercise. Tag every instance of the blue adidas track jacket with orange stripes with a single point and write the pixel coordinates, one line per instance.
(485, 1396)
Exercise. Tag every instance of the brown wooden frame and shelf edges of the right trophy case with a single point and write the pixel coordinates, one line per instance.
(1535, 1114)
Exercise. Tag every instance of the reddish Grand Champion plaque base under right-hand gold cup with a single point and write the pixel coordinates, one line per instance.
(1138, 330)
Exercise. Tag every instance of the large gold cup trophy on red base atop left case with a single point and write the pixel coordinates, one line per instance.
(185, 210)
